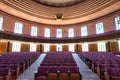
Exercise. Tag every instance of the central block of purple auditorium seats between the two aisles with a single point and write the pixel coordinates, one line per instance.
(57, 63)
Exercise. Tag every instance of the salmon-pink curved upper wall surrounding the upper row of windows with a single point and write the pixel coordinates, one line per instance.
(107, 20)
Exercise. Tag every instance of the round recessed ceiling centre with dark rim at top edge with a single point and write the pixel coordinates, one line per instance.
(58, 3)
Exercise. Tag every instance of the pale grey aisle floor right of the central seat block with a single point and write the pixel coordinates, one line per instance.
(86, 73)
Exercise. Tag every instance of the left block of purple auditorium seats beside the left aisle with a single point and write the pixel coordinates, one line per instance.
(14, 63)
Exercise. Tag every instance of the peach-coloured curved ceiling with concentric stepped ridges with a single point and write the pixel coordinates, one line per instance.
(84, 11)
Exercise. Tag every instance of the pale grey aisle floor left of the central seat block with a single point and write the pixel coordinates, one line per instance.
(29, 73)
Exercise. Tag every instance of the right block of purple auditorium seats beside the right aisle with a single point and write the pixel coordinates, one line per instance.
(105, 64)
